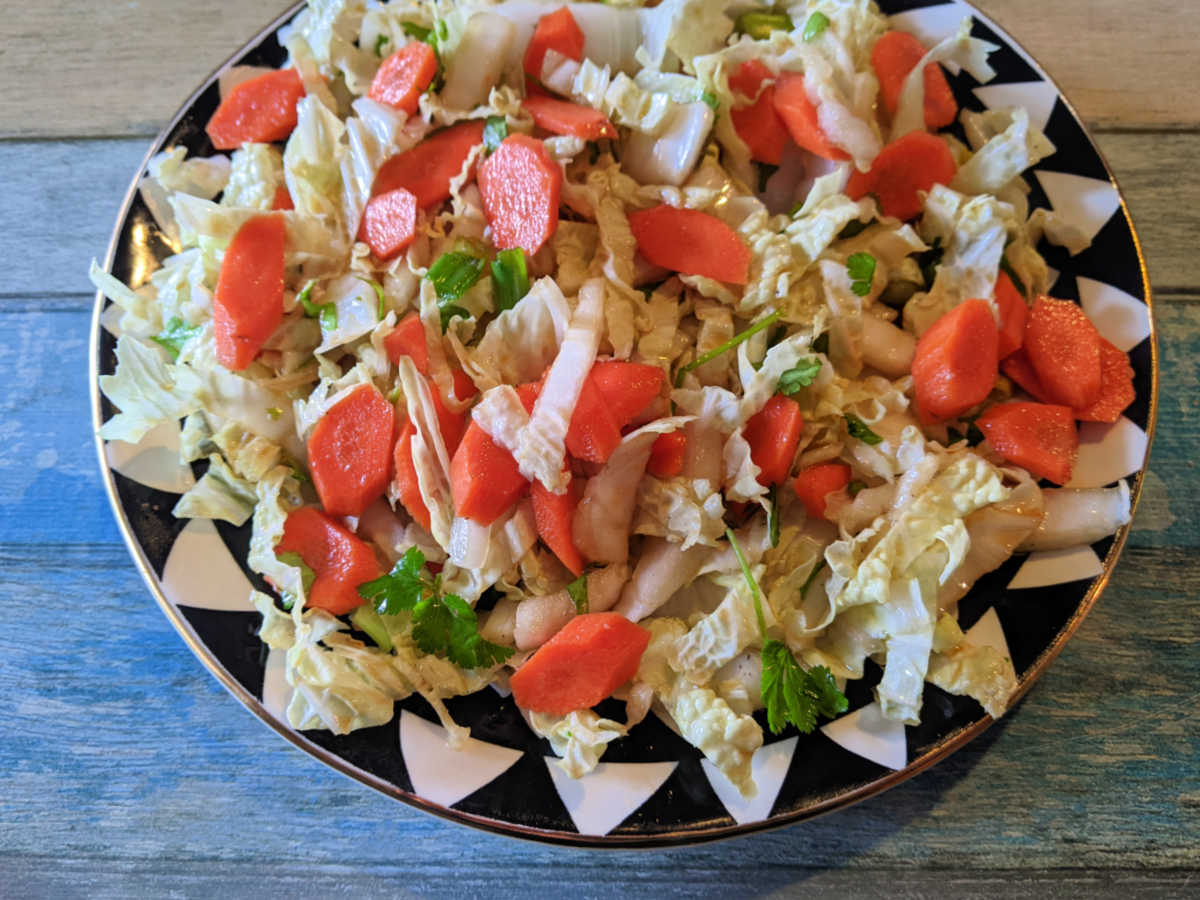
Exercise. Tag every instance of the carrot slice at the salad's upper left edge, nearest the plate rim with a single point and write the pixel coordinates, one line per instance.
(260, 111)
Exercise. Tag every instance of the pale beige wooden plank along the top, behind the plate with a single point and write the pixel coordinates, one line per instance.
(1118, 65)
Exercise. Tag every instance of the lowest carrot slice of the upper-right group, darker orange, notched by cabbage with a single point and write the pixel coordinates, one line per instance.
(910, 164)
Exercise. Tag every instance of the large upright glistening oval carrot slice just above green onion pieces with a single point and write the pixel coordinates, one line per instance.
(521, 188)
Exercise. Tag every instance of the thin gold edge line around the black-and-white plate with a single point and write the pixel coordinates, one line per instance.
(949, 745)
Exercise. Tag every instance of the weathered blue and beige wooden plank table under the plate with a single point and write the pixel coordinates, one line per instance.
(125, 769)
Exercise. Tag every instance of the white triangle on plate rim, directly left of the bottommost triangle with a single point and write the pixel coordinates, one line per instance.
(446, 776)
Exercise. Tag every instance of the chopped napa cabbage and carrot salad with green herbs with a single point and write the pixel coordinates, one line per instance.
(688, 355)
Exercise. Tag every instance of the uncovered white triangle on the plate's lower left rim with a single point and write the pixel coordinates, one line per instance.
(201, 572)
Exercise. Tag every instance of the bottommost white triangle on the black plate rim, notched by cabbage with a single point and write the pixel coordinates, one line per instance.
(609, 795)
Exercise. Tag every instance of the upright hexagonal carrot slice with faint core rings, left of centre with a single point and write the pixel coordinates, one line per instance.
(350, 451)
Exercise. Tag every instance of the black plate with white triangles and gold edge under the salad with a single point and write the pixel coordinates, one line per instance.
(653, 789)
